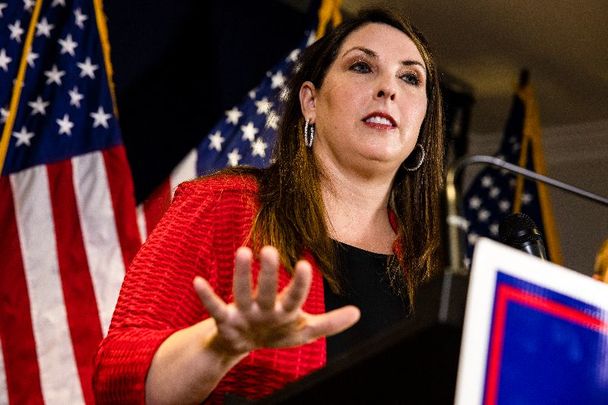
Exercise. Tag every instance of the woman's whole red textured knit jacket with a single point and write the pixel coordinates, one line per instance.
(207, 221)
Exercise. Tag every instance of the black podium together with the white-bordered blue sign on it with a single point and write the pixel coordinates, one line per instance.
(534, 332)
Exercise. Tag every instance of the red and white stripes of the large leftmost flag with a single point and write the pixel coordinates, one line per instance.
(66, 238)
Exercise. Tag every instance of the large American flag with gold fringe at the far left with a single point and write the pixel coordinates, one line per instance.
(67, 208)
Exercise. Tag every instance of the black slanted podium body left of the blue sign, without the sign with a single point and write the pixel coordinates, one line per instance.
(413, 362)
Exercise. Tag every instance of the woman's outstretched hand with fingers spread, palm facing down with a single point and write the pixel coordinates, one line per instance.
(261, 317)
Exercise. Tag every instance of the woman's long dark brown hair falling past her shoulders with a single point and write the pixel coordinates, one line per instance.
(292, 212)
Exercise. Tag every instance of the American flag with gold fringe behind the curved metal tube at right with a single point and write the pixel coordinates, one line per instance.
(495, 193)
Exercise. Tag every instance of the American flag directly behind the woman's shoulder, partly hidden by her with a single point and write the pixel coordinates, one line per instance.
(245, 135)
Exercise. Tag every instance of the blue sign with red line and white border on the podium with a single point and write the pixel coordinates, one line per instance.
(534, 332)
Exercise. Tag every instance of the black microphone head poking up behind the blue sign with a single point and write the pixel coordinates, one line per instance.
(520, 232)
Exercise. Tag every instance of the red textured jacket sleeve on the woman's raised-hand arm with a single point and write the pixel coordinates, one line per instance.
(157, 297)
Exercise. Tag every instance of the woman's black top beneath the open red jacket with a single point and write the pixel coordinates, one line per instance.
(366, 286)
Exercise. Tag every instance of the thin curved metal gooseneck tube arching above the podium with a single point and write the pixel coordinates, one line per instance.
(457, 223)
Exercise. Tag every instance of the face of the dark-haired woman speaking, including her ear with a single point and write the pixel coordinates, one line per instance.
(371, 105)
